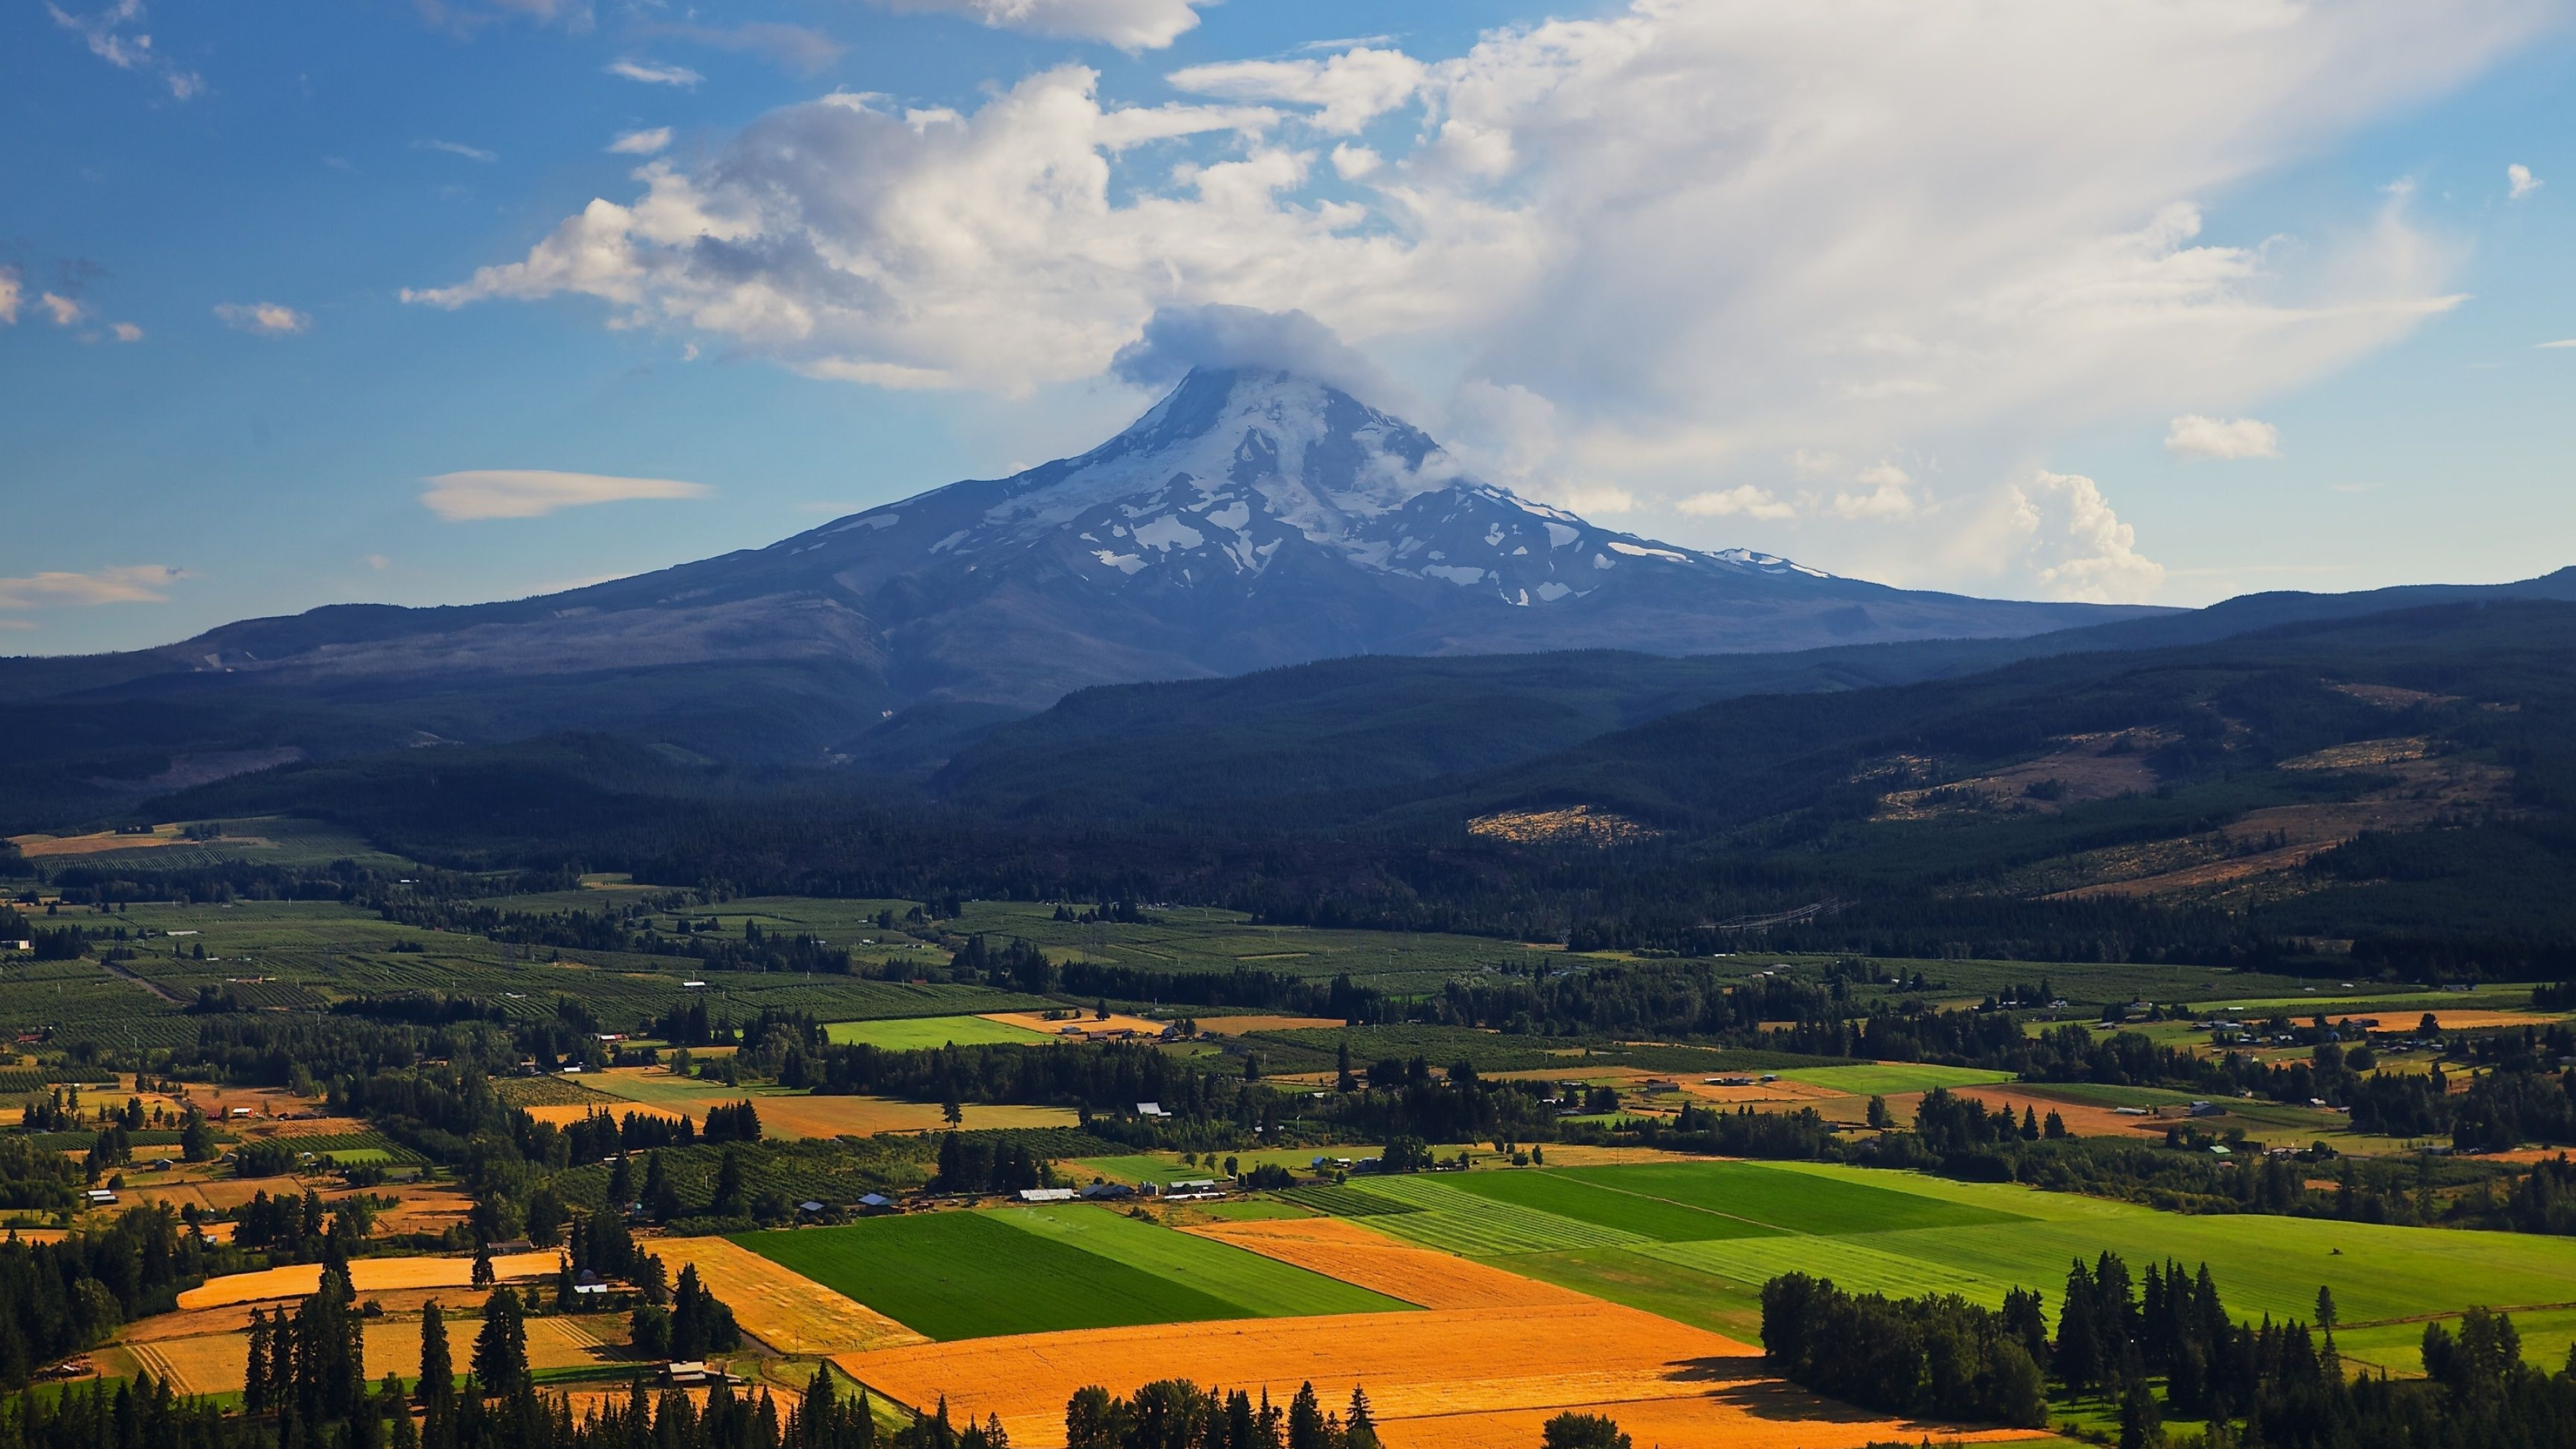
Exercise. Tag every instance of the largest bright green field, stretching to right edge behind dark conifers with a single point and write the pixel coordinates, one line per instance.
(1908, 1234)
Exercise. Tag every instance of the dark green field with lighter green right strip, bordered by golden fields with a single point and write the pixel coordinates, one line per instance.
(978, 1275)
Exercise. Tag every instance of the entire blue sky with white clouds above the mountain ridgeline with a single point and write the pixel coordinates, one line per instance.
(2078, 300)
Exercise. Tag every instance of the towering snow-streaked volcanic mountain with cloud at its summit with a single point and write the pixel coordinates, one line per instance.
(1251, 520)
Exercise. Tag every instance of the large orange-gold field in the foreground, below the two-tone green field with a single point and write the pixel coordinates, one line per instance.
(1452, 1378)
